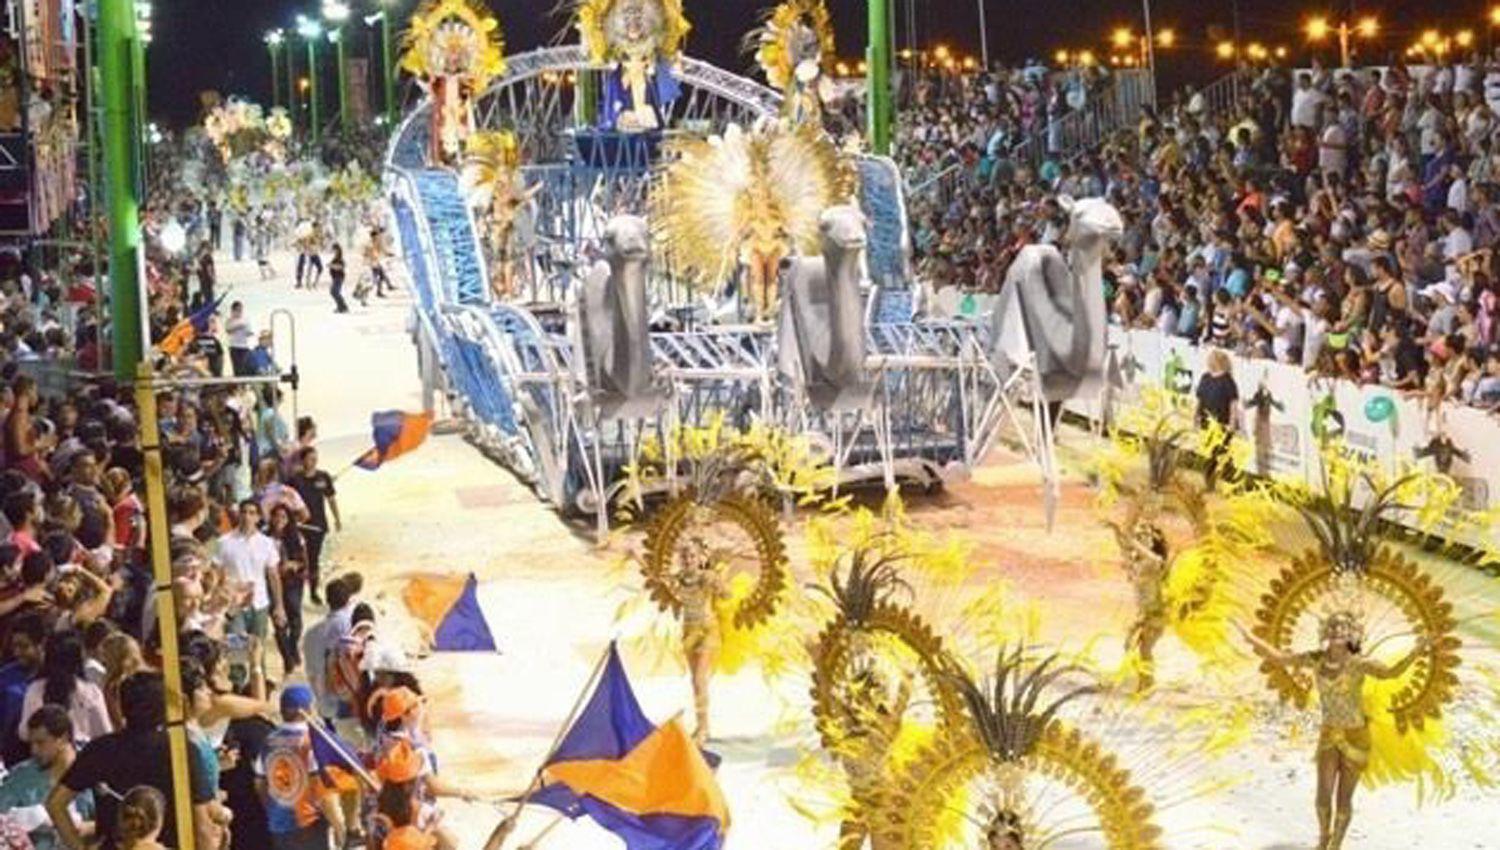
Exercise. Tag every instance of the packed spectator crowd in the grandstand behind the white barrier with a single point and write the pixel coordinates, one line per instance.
(1342, 221)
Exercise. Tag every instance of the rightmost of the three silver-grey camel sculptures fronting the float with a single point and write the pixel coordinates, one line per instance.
(1049, 326)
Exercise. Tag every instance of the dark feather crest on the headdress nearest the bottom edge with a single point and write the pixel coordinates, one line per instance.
(1015, 710)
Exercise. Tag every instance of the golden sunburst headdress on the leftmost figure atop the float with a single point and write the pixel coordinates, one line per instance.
(455, 28)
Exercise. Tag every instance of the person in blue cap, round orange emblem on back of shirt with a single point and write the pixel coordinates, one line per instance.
(302, 806)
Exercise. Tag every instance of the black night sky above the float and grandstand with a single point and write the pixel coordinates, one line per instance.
(217, 44)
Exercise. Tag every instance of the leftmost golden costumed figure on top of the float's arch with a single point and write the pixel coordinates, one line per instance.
(455, 50)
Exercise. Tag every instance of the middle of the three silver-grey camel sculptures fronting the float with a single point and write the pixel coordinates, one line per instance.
(821, 340)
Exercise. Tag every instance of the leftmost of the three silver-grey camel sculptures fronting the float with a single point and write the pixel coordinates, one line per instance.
(614, 323)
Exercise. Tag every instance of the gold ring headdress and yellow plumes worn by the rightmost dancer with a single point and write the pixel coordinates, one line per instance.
(1354, 584)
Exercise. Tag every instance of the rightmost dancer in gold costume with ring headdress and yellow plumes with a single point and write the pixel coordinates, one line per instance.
(1384, 719)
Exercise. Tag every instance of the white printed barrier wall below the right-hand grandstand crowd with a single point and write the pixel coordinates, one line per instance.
(1283, 434)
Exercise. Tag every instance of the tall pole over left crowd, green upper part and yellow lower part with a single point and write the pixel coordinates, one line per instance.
(122, 134)
